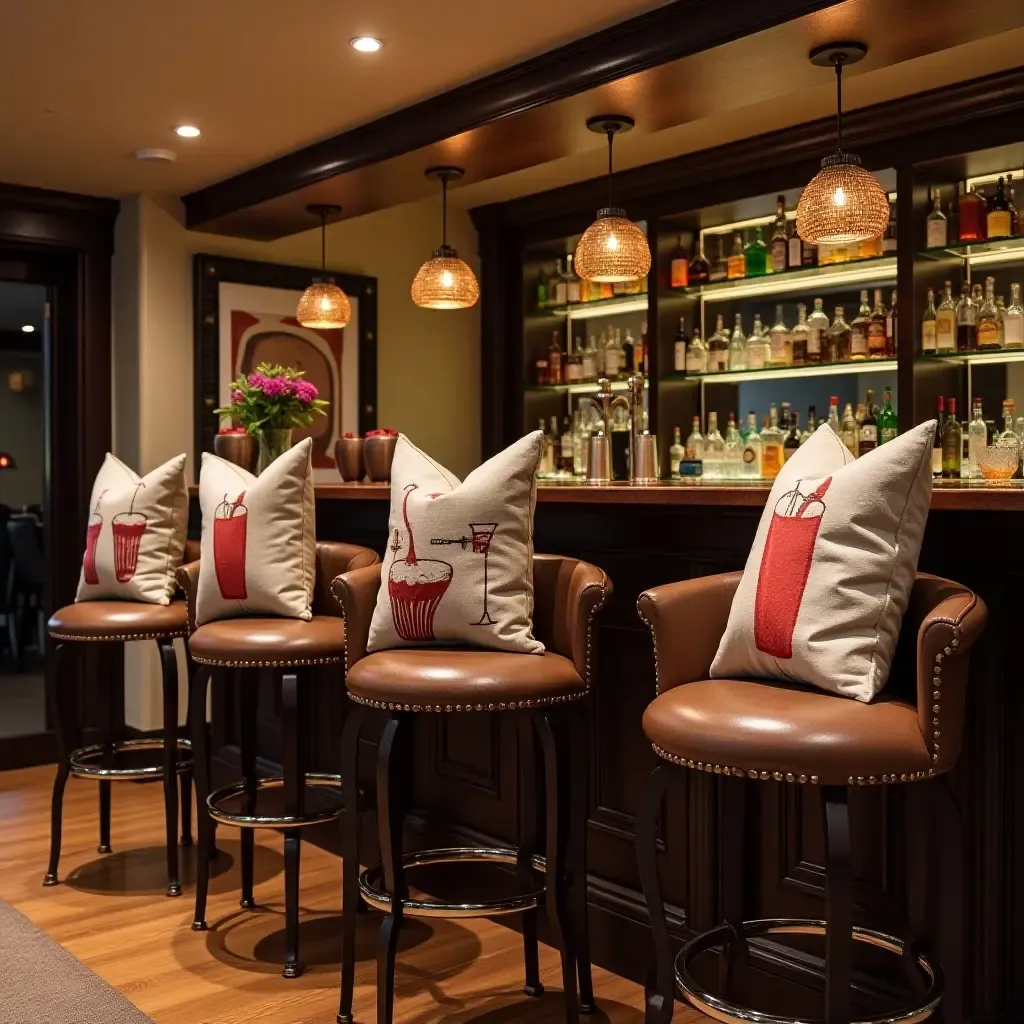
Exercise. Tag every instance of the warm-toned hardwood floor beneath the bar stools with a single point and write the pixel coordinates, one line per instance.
(111, 912)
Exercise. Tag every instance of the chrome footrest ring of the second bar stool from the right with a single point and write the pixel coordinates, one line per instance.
(372, 883)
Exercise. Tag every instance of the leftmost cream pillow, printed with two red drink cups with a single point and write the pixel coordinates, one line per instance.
(136, 538)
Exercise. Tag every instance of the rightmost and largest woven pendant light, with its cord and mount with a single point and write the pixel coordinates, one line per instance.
(843, 203)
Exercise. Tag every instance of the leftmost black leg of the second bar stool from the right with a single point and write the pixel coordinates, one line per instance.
(351, 858)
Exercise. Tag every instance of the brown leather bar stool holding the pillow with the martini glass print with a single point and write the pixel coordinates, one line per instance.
(546, 692)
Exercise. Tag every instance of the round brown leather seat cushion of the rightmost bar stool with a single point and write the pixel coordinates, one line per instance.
(765, 730)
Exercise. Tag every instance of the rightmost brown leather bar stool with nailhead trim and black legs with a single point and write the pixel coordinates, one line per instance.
(774, 732)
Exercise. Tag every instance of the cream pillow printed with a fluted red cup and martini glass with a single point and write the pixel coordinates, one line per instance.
(459, 566)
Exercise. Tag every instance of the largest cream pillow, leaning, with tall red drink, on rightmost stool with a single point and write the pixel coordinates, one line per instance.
(834, 561)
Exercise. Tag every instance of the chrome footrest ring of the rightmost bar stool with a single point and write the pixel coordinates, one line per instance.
(731, 1013)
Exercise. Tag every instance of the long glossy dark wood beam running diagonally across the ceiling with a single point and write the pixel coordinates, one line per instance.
(669, 33)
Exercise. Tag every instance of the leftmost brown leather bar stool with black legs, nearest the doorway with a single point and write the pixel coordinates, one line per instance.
(89, 633)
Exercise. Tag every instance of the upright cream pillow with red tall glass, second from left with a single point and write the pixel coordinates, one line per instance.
(260, 538)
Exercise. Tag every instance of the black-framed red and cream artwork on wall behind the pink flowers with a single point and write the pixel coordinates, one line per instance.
(245, 315)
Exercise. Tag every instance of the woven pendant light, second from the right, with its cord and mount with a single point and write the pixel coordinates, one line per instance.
(613, 249)
